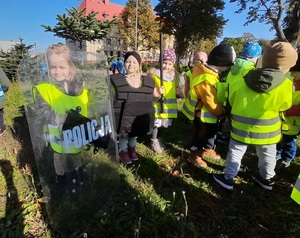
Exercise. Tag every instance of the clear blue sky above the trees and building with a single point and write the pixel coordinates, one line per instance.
(23, 19)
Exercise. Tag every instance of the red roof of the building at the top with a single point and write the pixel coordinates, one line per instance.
(106, 10)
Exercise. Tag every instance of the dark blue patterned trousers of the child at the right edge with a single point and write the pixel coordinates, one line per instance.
(287, 148)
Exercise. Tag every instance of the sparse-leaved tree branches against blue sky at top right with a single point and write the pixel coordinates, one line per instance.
(265, 11)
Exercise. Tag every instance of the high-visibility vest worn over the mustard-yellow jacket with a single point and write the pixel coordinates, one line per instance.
(191, 100)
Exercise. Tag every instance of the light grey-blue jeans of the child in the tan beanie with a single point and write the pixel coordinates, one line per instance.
(266, 159)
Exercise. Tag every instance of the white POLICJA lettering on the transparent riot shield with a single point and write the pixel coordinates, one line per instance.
(84, 134)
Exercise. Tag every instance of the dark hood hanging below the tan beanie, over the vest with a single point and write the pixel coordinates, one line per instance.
(264, 80)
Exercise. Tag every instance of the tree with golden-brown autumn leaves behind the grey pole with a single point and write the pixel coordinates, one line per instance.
(148, 27)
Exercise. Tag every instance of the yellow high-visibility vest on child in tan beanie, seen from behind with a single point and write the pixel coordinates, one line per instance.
(255, 116)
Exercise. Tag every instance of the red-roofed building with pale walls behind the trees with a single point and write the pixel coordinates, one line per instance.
(112, 46)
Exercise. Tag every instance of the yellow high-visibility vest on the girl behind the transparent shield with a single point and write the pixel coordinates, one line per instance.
(60, 103)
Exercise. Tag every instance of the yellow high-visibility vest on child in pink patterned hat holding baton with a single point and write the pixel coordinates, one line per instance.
(170, 107)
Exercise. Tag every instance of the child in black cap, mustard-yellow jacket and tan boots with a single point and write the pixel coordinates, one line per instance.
(202, 104)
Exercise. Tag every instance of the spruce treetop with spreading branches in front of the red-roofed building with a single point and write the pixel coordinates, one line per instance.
(78, 27)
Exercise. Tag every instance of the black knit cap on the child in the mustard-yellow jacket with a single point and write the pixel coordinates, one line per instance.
(222, 55)
